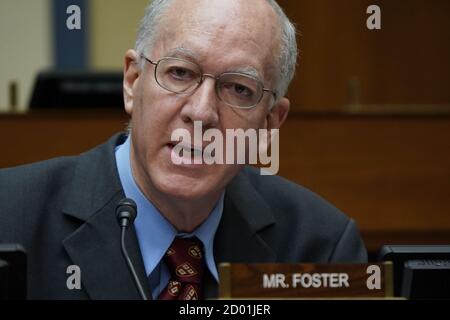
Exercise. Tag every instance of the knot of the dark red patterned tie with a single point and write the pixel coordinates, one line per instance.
(184, 258)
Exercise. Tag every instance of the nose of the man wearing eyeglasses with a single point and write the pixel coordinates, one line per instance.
(203, 104)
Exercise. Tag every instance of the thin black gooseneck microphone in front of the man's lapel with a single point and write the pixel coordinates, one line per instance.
(126, 212)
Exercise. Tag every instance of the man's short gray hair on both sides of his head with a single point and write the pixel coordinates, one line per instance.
(287, 60)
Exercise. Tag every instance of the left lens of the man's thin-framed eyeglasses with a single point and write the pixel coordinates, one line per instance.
(177, 75)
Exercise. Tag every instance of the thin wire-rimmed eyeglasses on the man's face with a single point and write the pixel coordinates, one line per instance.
(183, 77)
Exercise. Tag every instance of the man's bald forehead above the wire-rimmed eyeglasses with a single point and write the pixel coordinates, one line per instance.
(198, 32)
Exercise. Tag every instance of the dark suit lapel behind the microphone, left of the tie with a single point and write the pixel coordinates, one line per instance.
(95, 245)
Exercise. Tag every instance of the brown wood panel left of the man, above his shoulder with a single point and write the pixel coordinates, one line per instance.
(42, 135)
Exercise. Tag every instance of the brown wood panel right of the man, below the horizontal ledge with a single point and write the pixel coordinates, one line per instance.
(391, 174)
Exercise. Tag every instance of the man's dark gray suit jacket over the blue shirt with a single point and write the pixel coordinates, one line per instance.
(63, 212)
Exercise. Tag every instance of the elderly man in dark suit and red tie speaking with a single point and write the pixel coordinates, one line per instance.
(225, 64)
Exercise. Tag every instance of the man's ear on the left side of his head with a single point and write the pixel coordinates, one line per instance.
(130, 75)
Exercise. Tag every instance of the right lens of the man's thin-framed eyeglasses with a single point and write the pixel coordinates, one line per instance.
(239, 90)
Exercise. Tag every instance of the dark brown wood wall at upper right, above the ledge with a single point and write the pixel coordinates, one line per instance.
(342, 62)
